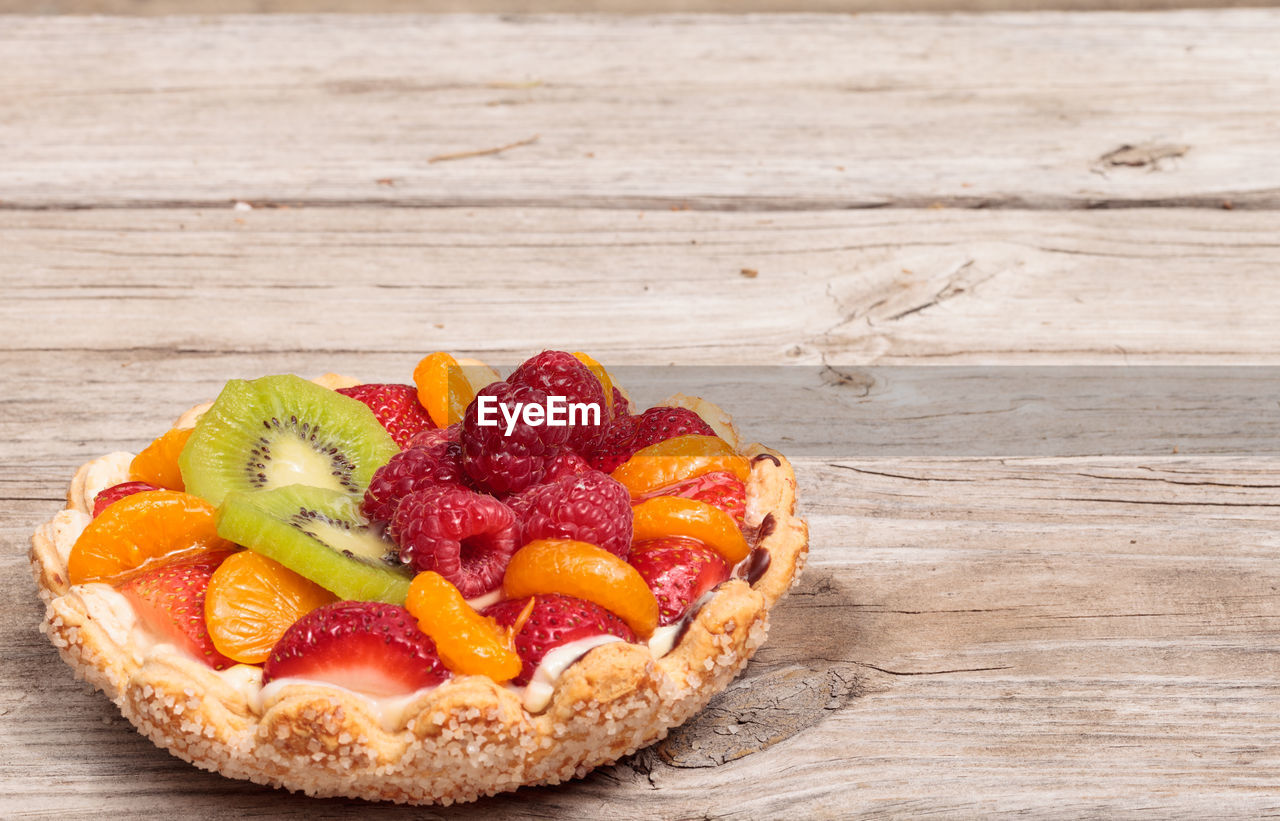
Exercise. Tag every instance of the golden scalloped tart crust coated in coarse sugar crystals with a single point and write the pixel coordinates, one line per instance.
(454, 744)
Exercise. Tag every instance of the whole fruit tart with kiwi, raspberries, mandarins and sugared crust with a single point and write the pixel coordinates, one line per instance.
(423, 592)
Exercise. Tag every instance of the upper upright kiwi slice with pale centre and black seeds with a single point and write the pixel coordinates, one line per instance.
(281, 431)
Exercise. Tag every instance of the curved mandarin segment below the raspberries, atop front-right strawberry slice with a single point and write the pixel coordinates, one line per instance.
(584, 572)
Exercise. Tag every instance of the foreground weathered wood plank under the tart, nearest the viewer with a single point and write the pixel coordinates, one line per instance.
(1058, 637)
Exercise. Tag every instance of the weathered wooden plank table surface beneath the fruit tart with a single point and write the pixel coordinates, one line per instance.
(191, 200)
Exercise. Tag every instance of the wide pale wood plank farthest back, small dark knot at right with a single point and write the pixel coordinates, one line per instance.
(724, 113)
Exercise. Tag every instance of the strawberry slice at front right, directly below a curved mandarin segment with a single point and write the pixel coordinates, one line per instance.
(555, 621)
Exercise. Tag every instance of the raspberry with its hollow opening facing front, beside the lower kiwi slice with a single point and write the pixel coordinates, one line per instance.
(464, 536)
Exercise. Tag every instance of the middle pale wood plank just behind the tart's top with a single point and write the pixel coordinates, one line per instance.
(318, 289)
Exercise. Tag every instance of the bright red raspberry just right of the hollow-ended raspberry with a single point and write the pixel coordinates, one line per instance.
(587, 508)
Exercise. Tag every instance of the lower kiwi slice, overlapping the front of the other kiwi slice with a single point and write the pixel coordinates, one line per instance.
(321, 535)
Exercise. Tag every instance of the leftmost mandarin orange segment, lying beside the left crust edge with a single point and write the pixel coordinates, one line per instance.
(140, 531)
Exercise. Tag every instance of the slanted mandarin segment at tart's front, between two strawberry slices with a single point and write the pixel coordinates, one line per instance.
(468, 642)
